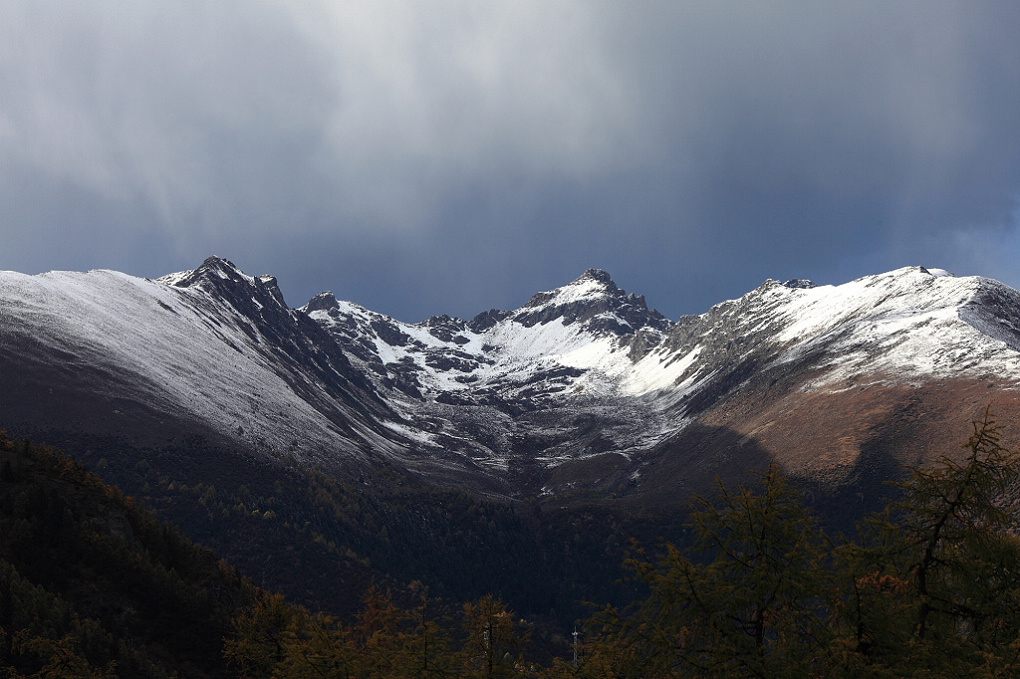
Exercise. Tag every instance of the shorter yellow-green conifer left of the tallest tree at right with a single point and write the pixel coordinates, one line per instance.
(746, 600)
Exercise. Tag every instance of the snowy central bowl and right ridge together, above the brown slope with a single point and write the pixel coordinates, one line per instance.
(586, 370)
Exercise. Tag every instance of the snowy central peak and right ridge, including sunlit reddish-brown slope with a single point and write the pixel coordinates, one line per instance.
(587, 373)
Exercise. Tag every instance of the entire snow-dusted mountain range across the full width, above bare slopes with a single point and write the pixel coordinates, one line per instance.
(578, 372)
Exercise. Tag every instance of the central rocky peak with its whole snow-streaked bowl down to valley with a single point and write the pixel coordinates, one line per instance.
(513, 387)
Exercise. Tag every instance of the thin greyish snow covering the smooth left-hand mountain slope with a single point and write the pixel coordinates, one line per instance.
(181, 349)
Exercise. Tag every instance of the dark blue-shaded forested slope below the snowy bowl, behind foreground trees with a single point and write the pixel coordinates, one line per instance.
(322, 539)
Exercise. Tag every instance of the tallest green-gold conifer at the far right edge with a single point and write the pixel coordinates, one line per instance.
(934, 586)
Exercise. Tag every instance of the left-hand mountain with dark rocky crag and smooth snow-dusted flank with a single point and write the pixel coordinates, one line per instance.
(211, 352)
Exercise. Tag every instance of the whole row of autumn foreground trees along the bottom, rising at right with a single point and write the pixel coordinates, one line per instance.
(930, 587)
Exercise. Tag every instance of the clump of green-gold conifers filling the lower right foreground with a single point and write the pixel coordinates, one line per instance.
(929, 588)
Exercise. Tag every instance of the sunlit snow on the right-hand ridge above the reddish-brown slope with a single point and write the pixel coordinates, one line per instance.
(905, 326)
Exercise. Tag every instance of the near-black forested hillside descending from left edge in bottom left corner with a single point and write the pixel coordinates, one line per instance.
(92, 586)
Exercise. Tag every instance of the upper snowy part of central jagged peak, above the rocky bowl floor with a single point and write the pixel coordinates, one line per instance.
(553, 331)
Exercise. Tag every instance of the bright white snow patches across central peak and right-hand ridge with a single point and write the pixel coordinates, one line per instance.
(883, 311)
